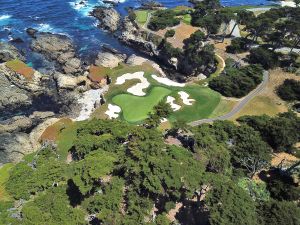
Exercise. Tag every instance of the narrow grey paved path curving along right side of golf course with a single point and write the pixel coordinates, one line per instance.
(239, 106)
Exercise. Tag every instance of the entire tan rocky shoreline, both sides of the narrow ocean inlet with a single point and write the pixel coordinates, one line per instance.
(28, 104)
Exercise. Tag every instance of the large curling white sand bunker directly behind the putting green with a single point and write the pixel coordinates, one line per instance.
(138, 88)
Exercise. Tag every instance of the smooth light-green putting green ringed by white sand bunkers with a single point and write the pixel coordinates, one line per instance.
(135, 108)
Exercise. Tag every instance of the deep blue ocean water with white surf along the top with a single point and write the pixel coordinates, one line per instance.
(64, 16)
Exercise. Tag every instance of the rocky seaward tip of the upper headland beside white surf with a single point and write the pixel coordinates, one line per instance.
(109, 18)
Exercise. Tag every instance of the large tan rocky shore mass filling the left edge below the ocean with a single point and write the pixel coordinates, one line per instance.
(29, 106)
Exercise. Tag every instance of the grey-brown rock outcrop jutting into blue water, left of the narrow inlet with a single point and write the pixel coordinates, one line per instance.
(60, 49)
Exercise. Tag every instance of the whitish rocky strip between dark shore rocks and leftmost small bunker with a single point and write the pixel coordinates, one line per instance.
(88, 102)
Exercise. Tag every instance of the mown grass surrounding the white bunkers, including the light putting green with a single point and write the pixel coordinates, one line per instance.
(135, 108)
